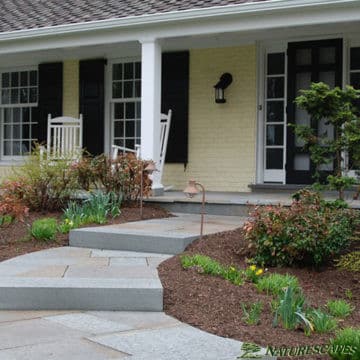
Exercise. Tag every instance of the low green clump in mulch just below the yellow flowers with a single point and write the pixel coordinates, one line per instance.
(275, 284)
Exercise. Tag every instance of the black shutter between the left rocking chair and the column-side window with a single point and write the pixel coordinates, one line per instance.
(92, 104)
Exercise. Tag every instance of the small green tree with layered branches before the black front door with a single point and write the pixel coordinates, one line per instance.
(337, 106)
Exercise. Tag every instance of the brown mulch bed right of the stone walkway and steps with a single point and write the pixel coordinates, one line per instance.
(213, 304)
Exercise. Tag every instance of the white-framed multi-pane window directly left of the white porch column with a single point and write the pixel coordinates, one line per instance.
(126, 103)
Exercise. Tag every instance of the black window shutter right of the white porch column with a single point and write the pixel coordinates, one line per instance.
(175, 96)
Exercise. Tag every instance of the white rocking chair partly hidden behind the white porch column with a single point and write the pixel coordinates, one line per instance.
(165, 121)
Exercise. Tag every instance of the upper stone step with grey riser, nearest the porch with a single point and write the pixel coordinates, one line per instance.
(165, 236)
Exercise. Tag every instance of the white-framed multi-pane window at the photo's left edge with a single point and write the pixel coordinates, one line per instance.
(19, 96)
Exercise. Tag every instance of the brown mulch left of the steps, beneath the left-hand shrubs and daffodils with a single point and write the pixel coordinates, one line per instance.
(15, 239)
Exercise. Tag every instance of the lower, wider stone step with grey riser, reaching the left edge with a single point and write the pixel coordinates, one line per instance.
(82, 279)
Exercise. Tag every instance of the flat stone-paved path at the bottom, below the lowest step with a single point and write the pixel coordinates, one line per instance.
(55, 335)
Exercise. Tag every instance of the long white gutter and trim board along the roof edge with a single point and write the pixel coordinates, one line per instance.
(233, 18)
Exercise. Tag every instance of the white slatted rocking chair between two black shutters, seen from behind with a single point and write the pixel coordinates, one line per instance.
(64, 139)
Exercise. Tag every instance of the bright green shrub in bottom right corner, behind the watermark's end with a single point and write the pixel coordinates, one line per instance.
(348, 338)
